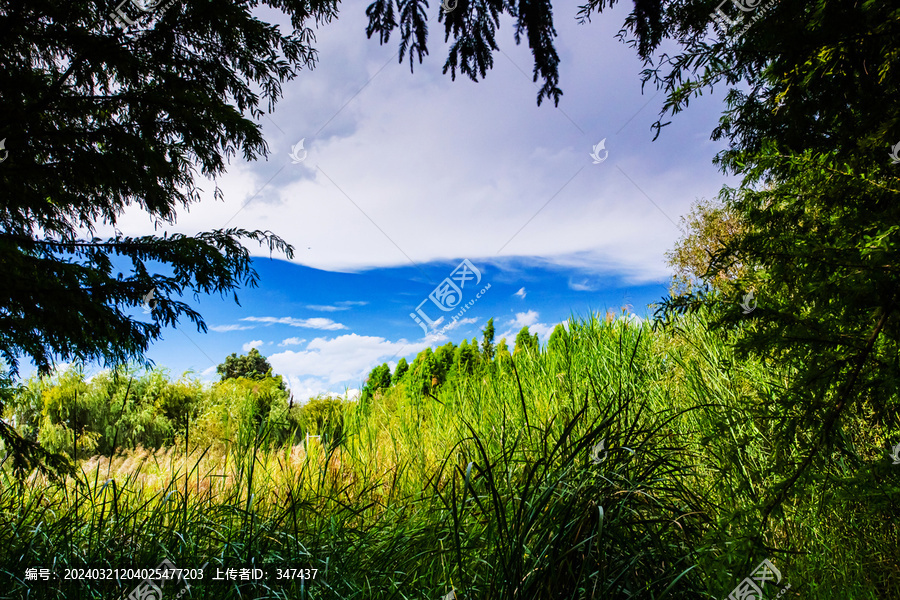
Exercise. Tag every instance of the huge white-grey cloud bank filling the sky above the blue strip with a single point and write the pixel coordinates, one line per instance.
(525, 192)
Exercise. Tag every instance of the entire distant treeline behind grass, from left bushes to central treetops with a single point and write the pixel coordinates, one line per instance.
(77, 416)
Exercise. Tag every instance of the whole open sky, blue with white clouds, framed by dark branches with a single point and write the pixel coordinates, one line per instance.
(403, 176)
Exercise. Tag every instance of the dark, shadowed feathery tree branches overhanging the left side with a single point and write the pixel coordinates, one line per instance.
(97, 118)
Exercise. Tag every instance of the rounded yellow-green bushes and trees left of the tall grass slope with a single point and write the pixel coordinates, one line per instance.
(122, 409)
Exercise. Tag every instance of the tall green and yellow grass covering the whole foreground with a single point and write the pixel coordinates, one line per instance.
(618, 462)
